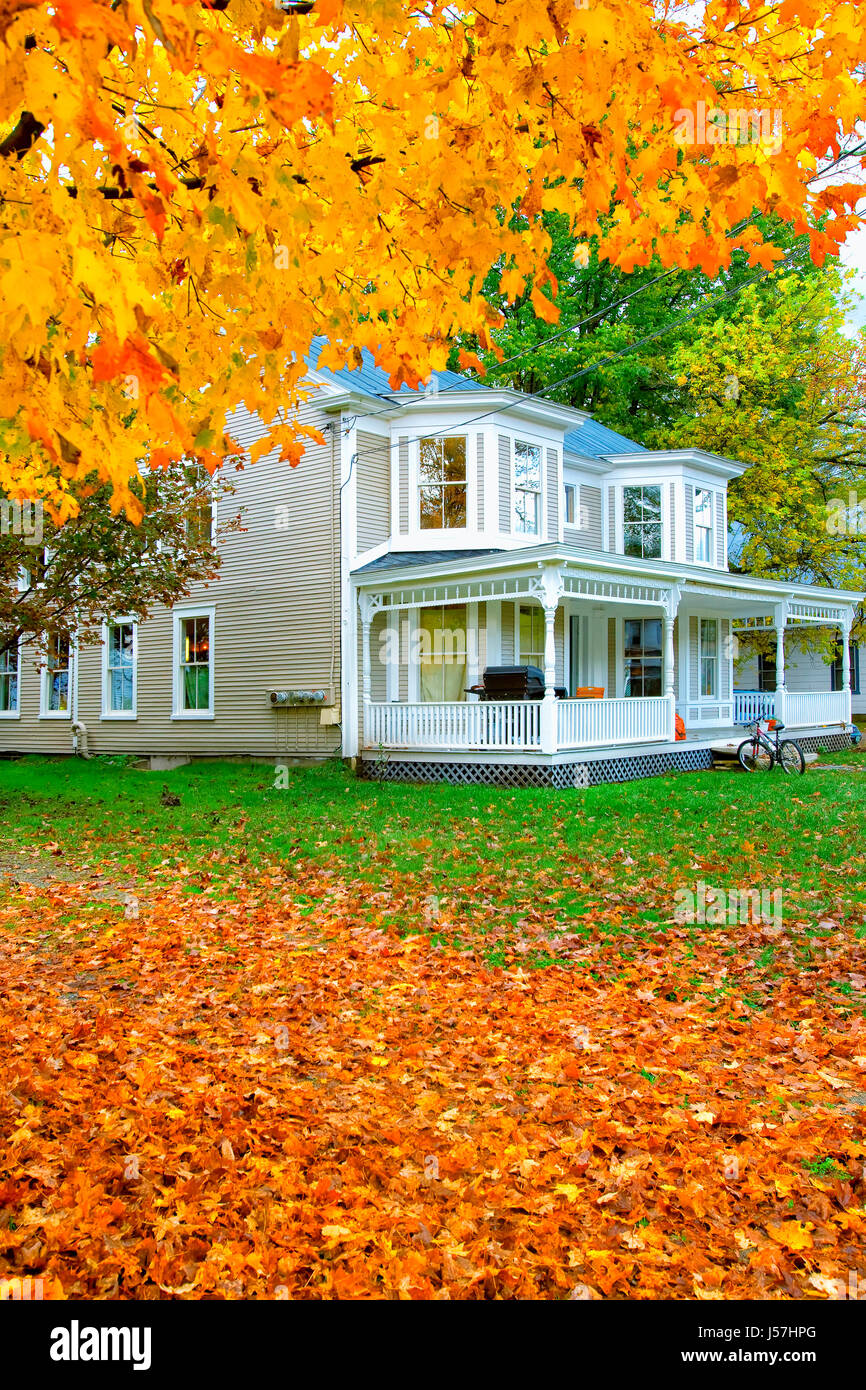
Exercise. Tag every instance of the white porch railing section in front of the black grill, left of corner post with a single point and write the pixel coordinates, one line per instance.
(505, 725)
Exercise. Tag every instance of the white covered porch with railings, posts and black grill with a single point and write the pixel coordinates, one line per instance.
(654, 646)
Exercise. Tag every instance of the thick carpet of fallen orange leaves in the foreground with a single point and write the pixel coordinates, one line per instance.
(234, 1100)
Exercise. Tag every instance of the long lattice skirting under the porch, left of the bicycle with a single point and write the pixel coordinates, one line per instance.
(530, 775)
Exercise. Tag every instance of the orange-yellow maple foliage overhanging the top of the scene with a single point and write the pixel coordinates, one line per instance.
(193, 193)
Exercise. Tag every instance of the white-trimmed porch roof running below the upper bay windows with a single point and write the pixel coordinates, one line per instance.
(420, 579)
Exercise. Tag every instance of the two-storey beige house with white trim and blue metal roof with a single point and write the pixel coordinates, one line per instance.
(433, 536)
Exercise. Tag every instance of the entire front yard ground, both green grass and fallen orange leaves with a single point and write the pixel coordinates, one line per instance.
(487, 1064)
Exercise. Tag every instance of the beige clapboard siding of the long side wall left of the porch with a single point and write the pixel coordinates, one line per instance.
(276, 626)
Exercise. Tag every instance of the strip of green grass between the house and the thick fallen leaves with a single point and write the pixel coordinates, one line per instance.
(459, 861)
